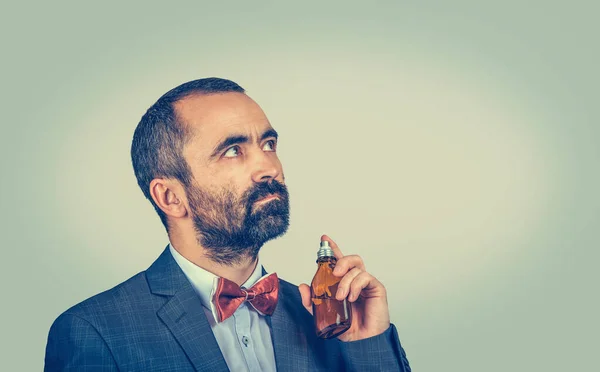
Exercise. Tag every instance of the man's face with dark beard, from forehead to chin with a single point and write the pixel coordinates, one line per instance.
(237, 198)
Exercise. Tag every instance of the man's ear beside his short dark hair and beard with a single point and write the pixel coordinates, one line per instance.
(169, 195)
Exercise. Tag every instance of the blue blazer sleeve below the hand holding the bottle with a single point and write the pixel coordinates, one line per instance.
(378, 353)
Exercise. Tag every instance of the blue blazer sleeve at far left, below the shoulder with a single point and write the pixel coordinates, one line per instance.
(75, 345)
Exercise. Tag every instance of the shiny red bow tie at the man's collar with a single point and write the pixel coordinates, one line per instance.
(262, 296)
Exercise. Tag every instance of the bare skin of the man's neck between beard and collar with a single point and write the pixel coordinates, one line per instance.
(187, 246)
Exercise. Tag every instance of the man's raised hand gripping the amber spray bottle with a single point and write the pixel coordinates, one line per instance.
(368, 297)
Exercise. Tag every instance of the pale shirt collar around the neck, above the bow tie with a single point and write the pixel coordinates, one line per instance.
(205, 282)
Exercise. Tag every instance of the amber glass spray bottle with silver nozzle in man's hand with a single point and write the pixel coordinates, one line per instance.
(332, 317)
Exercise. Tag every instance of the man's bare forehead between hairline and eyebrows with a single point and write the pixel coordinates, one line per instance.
(211, 118)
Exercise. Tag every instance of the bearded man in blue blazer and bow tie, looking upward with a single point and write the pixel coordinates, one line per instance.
(205, 156)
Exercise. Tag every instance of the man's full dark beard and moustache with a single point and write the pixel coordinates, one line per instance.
(232, 228)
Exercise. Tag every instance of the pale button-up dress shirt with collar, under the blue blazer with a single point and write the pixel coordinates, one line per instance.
(244, 338)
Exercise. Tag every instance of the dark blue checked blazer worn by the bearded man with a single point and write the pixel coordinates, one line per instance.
(154, 321)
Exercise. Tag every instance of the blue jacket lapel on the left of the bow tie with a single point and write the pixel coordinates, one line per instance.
(183, 314)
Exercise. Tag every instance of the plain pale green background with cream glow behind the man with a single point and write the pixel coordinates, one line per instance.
(454, 146)
